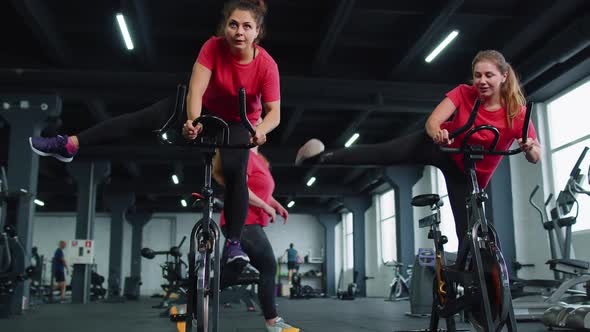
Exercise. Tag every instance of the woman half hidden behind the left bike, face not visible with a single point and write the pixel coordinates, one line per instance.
(262, 209)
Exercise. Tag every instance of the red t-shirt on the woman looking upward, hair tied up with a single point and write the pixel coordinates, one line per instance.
(260, 78)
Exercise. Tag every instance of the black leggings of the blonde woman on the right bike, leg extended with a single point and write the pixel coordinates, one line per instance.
(418, 149)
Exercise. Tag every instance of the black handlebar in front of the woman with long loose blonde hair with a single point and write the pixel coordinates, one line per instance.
(491, 150)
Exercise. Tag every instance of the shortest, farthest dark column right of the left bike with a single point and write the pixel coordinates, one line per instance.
(329, 221)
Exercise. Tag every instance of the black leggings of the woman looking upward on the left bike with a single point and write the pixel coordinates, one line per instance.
(234, 161)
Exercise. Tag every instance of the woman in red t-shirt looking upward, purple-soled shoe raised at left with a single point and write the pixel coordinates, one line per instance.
(224, 64)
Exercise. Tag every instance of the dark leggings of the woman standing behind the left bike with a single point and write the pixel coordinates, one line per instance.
(262, 257)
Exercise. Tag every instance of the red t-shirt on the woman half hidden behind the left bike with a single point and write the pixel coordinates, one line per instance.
(262, 184)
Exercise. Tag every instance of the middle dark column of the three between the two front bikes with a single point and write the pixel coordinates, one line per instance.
(358, 206)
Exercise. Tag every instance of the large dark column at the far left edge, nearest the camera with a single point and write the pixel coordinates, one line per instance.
(25, 115)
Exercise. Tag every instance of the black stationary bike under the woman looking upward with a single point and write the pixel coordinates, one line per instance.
(204, 254)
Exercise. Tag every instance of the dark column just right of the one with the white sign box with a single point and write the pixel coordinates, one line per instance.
(117, 203)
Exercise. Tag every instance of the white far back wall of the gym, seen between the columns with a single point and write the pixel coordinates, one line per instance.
(161, 233)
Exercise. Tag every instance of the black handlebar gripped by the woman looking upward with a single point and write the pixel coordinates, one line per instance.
(212, 120)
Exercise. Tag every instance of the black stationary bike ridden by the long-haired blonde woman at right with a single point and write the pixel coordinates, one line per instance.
(477, 282)
